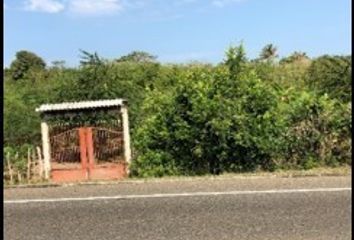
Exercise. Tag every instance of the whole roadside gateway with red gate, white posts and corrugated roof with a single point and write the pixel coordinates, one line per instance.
(86, 140)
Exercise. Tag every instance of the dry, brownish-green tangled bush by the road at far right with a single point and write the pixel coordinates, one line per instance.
(318, 131)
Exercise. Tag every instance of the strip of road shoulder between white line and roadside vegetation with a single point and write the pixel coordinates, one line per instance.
(217, 184)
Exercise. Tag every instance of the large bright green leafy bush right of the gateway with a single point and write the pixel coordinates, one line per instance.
(216, 122)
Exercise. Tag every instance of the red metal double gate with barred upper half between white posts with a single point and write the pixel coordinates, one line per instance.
(87, 153)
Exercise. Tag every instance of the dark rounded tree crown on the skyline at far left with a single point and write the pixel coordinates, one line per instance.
(24, 63)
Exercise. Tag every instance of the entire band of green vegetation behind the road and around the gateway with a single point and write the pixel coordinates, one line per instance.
(241, 115)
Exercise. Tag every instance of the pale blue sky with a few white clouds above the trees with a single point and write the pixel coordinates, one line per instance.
(176, 31)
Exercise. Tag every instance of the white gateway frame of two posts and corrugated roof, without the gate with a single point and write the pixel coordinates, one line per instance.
(72, 106)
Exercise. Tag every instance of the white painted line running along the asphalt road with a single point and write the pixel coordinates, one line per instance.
(165, 195)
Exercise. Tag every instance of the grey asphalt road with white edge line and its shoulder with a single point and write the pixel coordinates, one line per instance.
(231, 208)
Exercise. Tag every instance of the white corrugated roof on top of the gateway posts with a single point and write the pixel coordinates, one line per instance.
(81, 105)
